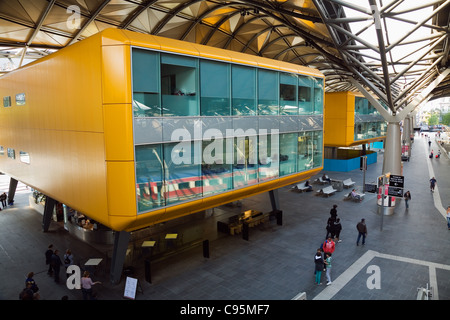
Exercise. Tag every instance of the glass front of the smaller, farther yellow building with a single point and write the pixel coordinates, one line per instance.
(368, 122)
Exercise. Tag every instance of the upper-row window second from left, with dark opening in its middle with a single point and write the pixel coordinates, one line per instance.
(179, 78)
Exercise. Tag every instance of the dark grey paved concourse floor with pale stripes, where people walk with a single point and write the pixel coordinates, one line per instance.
(409, 251)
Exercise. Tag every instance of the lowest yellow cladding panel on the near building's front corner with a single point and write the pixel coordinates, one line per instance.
(121, 193)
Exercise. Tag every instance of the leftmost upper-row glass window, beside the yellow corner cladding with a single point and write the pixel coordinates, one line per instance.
(145, 83)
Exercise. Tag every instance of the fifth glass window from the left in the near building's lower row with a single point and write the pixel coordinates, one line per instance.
(268, 150)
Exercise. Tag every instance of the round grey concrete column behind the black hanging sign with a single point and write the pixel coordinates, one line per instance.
(392, 162)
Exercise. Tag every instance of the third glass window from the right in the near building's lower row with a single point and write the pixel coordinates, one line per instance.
(288, 153)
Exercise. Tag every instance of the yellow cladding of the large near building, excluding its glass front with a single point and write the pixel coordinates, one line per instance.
(77, 127)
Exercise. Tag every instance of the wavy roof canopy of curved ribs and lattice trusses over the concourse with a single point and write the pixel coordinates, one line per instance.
(325, 34)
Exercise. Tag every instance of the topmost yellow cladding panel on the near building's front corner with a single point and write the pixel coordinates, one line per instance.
(116, 72)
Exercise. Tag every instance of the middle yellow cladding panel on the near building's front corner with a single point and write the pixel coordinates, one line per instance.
(118, 126)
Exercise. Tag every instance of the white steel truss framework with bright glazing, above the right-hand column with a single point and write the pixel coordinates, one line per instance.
(395, 50)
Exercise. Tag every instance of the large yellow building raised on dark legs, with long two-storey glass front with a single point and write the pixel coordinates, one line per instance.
(92, 126)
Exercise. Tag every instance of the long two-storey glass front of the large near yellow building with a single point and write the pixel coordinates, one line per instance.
(203, 127)
